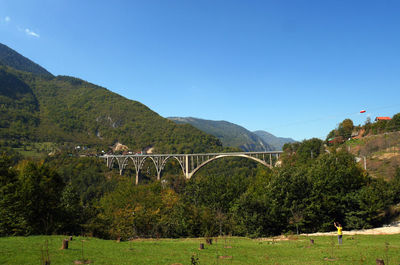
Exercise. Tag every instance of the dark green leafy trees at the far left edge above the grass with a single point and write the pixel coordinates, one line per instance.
(30, 198)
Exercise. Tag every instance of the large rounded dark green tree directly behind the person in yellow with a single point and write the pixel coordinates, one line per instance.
(336, 181)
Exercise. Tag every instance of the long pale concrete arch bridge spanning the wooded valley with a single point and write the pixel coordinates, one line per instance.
(190, 163)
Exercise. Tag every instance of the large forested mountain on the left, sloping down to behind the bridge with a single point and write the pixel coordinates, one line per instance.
(38, 107)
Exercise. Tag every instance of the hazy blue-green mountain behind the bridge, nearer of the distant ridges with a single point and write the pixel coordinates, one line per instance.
(230, 134)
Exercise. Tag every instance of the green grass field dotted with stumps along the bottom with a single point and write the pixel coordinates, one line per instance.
(298, 250)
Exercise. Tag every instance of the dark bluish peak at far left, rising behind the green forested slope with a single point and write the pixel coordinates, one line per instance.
(15, 60)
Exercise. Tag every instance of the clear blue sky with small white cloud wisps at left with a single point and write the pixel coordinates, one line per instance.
(293, 68)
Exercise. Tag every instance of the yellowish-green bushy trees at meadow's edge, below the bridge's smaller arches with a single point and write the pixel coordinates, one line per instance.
(144, 210)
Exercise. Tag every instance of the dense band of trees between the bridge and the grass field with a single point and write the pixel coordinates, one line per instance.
(309, 191)
